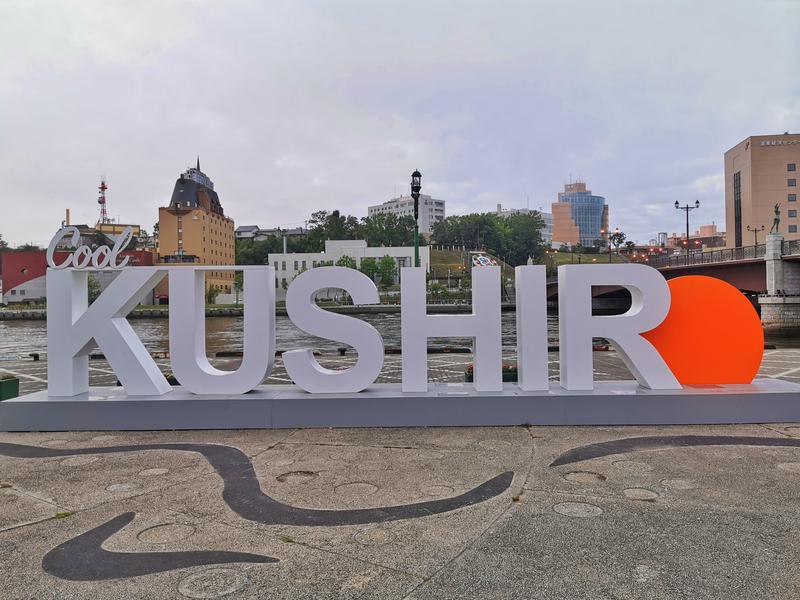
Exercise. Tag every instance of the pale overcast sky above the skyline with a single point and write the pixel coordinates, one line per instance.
(299, 106)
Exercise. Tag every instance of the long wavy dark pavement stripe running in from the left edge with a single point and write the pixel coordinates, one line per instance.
(242, 491)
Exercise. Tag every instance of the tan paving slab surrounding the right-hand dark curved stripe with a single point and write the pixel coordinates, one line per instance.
(717, 477)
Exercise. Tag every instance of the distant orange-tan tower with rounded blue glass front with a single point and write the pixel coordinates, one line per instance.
(579, 217)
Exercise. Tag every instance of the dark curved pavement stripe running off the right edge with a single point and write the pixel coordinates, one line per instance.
(638, 444)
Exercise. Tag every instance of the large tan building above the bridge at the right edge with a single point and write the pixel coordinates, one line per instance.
(760, 172)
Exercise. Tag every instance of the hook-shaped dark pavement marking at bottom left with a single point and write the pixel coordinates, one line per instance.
(83, 559)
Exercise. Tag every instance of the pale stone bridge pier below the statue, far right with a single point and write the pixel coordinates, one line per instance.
(780, 307)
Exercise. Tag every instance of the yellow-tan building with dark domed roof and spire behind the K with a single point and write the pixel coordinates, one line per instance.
(194, 230)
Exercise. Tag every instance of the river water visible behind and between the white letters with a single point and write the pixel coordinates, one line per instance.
(225, 334)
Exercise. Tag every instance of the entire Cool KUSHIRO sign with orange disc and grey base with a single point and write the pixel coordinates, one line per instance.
(652, 338)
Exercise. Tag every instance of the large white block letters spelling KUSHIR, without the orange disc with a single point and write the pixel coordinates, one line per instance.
(73, 327)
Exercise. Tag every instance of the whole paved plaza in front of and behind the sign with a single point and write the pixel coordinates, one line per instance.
(424, 514)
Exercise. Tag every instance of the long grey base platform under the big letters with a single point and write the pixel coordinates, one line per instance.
(286, 406)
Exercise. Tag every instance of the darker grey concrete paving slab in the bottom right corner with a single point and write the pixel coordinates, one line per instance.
(555, 546)
